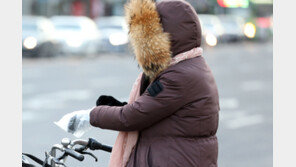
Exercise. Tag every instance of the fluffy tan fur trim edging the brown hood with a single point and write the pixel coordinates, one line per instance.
(150, 43)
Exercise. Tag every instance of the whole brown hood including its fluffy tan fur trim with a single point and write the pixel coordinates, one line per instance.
(160, 31)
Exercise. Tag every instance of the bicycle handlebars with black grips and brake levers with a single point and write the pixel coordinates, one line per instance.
(67, 147)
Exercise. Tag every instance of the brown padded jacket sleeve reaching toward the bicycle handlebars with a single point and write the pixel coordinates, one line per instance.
(142, 113)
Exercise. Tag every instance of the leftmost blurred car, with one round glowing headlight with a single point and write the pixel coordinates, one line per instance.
(38, 37)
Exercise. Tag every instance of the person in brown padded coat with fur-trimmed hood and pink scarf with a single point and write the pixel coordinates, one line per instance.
(171, 119)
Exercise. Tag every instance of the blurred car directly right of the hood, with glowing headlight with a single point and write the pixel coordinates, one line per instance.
(212, 29)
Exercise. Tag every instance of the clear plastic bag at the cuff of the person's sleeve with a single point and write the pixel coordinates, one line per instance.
(76, 123)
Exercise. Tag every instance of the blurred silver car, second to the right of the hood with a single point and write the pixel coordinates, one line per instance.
(233, 28)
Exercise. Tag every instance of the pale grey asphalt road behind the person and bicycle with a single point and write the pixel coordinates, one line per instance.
(243, 72)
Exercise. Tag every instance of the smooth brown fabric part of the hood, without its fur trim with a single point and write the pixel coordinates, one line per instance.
(180, 20)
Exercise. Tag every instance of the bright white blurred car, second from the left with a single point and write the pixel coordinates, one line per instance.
(77, 34)
